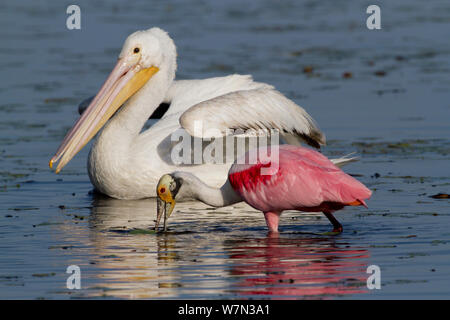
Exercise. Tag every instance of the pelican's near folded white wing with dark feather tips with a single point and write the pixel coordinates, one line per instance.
(262, 108)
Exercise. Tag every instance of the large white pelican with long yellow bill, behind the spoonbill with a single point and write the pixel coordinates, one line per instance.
(126, 163)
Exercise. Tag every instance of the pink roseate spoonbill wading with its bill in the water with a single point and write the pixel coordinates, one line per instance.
(303, 180)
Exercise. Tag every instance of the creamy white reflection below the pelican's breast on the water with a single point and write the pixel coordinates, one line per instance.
(130, 260)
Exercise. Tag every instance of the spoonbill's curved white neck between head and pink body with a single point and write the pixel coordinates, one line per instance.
(193, 187)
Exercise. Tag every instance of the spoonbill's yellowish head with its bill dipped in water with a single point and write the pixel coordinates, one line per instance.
(167, 189)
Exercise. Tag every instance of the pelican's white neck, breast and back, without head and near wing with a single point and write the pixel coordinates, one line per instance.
(125, 163)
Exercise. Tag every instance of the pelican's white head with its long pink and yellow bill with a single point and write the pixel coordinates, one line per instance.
(144, 54)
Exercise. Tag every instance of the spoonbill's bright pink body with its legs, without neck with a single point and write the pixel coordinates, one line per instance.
(305, 181)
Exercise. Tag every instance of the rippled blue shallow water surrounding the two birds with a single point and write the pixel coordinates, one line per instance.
(393, 110)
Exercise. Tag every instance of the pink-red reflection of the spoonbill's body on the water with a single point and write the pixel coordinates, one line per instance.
(300, 267)
